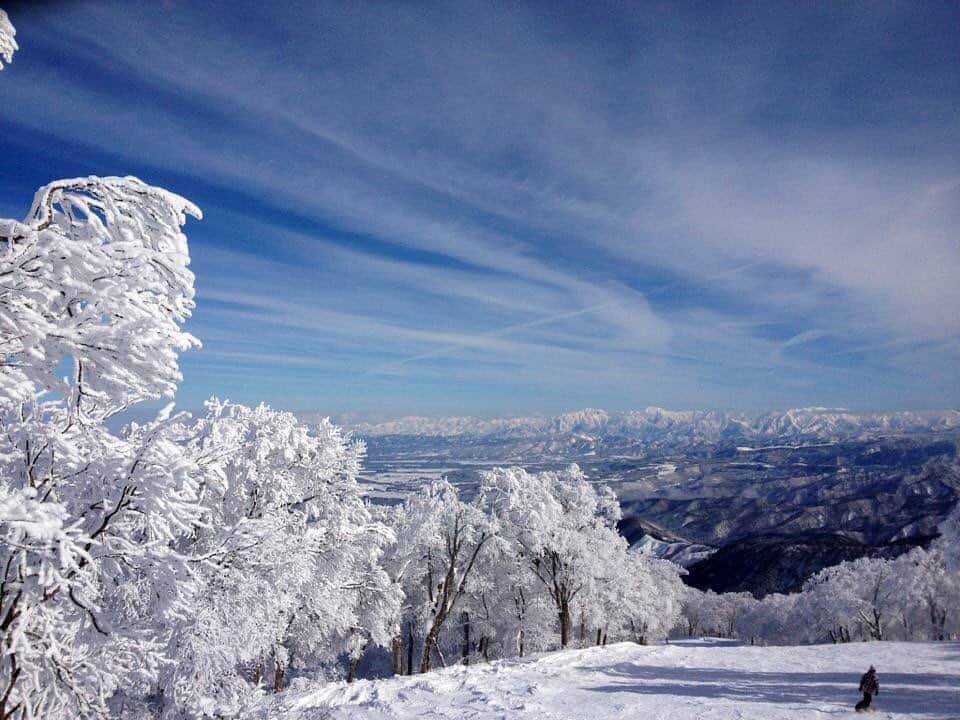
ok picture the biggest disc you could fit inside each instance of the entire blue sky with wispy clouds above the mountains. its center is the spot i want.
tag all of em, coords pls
(502, 208)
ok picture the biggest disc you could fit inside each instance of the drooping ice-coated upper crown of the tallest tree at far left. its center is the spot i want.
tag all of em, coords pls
(96, 275)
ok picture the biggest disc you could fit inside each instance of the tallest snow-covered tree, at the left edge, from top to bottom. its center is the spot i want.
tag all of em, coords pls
(95, 277)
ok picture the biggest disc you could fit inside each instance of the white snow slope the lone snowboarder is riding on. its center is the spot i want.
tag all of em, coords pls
(700, 680)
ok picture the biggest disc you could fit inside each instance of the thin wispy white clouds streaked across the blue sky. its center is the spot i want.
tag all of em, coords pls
(590, 210)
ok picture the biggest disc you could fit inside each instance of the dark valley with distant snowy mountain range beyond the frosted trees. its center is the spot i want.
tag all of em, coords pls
(754, 504)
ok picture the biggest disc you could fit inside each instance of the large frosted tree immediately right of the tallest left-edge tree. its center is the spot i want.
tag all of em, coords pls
(288, 555)
